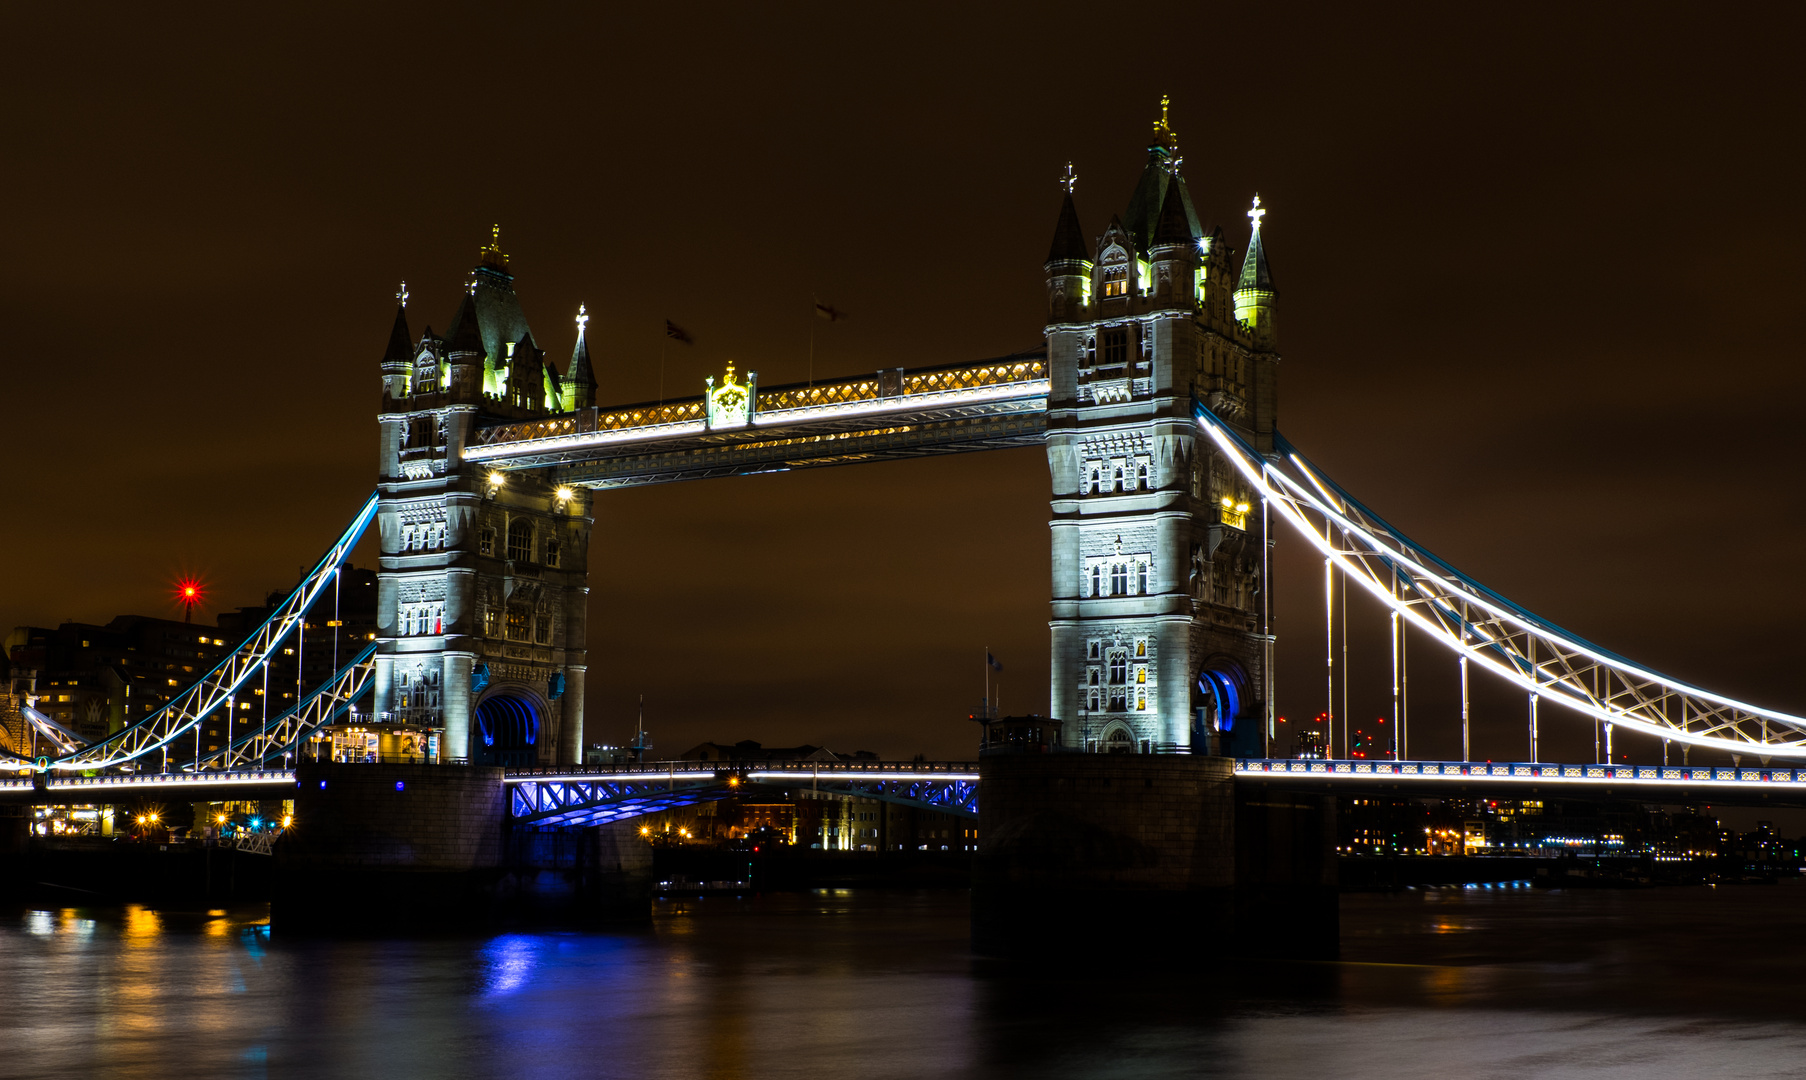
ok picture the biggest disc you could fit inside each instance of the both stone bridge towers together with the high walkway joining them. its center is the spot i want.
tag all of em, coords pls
(490, 458)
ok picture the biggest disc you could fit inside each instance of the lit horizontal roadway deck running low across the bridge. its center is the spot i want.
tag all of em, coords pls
(1744, 785)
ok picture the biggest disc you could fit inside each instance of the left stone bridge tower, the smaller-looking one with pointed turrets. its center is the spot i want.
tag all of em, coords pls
(483, 581)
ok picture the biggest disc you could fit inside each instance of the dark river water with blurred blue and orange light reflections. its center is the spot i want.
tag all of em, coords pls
(1448, 983)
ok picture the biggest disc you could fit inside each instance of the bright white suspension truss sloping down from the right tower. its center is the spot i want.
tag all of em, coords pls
(1489, 629)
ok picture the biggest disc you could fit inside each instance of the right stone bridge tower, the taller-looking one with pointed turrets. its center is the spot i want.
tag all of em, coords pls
(1160, 638)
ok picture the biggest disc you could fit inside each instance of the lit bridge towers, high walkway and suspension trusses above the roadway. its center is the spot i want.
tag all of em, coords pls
(1155, 396)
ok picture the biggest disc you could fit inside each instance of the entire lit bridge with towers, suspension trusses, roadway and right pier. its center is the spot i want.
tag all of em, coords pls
(1155, 395)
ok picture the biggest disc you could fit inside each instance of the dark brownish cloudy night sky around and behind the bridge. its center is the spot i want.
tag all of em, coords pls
(1540, 277)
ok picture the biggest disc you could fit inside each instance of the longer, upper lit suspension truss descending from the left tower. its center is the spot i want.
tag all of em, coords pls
(223, 685)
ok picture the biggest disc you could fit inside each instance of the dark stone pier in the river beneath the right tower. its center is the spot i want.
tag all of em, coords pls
(1148, 861)
